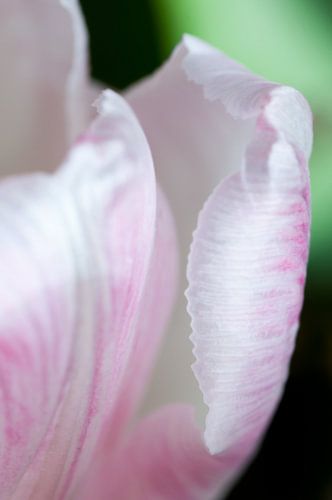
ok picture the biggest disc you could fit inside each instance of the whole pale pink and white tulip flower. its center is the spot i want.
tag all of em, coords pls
(97, 212)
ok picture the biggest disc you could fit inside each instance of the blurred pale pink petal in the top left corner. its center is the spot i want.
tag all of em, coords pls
(43, 91)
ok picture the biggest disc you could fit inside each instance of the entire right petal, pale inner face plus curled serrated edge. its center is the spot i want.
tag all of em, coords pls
(248, 257)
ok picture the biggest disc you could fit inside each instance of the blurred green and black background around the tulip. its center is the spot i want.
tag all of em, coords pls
(291, 42)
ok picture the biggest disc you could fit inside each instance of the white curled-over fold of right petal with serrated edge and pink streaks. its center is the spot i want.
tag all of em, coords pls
(246, 276)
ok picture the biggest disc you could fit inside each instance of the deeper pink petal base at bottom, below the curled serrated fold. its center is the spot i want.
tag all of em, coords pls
(165, 459)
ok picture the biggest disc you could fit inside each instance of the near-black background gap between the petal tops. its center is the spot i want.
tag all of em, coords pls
(124, 42)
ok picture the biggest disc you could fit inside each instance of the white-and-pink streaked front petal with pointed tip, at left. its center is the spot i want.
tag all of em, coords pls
(75, 254)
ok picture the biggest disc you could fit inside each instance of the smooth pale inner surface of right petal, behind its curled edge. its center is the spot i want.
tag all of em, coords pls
(195, 142)
